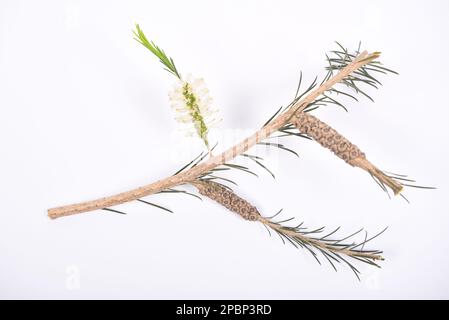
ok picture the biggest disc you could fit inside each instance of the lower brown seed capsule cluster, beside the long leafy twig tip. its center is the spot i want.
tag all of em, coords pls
(228, 199)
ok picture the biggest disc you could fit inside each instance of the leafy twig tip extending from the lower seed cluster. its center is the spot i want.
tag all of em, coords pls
(316, 243)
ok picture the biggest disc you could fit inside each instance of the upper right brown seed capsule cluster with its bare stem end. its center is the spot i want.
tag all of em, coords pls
(341, 147)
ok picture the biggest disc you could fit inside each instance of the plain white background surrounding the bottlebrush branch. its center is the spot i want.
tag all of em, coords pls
(84, 113)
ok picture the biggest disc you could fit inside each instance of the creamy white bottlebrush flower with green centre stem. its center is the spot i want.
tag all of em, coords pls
(192, 104)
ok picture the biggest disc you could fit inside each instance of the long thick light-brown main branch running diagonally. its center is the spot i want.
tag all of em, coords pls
(191, 175)
